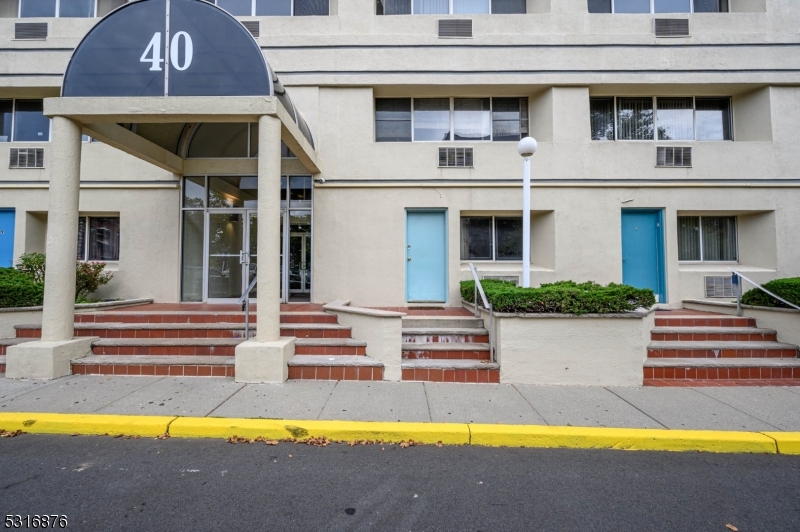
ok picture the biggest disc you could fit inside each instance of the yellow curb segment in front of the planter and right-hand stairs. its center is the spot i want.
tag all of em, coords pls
(628, 439)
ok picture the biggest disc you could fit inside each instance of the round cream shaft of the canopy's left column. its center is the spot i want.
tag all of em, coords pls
(62, 231)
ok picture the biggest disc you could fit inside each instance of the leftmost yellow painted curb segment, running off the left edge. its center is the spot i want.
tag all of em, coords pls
(38, 423)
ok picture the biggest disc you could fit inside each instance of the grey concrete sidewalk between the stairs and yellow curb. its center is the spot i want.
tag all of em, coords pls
(724, 408)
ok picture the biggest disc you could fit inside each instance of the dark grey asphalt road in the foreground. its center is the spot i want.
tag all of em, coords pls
(103, 483)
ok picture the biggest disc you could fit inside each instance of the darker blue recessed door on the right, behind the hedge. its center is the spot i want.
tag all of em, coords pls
(643, 250)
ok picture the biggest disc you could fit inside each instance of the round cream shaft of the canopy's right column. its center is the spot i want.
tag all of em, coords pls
(269, 241)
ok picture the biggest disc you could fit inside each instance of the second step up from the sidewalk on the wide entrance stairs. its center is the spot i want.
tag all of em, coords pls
(217, 346)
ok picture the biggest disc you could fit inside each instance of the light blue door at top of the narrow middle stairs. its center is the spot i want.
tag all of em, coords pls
(426, 256)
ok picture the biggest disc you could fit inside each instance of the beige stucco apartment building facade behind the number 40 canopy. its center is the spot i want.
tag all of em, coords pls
(347, 233)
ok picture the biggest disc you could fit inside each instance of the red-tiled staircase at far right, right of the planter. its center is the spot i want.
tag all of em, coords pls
(702, 349)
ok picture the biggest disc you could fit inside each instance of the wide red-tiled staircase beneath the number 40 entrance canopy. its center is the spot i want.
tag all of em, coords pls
(202, 344)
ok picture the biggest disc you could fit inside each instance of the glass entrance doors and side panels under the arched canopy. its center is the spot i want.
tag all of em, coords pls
(220, 232)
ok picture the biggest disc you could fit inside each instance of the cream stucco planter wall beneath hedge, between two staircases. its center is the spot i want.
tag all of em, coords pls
(565, 349)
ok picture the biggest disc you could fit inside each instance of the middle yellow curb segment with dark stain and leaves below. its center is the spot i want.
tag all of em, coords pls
(277, 429)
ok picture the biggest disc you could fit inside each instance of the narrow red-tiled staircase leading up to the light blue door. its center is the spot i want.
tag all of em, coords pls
(447, 349)
